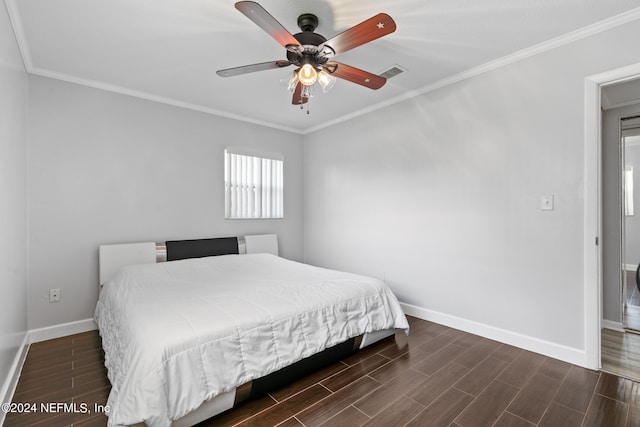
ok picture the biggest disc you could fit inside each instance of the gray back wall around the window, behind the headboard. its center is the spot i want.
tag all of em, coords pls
(109, 168)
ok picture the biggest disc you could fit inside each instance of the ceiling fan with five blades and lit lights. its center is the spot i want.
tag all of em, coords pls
(312, 53)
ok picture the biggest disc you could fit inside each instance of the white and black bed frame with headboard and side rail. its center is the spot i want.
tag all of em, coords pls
(115, 256)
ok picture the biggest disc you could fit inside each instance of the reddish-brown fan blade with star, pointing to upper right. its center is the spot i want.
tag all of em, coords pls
(369, 30)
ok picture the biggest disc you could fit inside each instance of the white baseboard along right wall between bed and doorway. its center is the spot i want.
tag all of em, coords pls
(557, 351)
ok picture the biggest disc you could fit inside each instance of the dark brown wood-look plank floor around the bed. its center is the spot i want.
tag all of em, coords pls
(437, 376)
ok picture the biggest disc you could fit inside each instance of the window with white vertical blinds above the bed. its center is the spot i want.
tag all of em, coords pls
(253, 184)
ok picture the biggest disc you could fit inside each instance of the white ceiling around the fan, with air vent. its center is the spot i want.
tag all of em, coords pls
(169, 50)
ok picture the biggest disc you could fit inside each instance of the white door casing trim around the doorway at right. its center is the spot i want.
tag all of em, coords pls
(592, 195)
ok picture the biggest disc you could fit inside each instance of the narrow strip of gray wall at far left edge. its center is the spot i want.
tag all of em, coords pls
(13, 200)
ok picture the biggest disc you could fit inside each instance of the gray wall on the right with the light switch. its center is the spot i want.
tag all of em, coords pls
(440, 195)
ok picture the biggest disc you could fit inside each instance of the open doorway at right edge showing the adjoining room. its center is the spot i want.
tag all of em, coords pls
(620, 340)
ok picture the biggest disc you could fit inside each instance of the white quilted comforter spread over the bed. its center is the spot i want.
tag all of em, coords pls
(176, 334)
